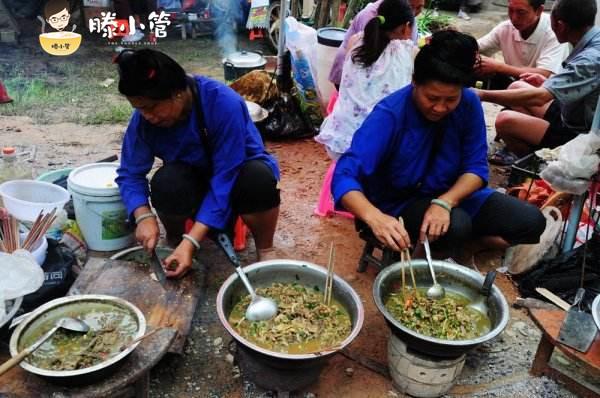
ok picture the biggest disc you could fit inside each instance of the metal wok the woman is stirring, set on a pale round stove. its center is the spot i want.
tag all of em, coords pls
(455, 278)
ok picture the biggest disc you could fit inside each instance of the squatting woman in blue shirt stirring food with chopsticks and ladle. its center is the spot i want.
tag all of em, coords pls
(421, 155)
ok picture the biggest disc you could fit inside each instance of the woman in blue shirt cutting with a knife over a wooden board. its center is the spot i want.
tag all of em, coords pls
(214, 164)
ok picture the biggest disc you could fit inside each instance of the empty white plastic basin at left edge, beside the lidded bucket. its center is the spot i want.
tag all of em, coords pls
(24, 199)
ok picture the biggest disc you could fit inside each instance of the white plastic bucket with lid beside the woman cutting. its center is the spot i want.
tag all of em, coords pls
(99, 210)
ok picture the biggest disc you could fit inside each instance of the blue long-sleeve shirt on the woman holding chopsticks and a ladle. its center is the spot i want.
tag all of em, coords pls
(389, 158)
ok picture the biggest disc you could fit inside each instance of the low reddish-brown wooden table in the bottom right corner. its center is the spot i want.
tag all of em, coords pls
(550, 321)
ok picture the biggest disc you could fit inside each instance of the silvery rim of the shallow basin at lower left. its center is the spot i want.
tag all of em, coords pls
(17, 334)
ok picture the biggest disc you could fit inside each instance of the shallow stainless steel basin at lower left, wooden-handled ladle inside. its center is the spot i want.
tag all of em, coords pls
(55, 309)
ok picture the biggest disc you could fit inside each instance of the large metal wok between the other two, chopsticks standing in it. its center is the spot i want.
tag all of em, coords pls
(263, 274)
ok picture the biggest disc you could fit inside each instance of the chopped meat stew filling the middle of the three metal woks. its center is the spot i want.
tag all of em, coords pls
(303, 323)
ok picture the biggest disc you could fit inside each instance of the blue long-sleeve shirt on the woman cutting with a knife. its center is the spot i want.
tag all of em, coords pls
(232, 139)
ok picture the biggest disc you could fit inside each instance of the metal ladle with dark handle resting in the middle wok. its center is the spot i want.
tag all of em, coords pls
(260, 308)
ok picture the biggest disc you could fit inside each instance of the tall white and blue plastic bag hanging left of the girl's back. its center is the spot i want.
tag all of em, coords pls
(301, 40)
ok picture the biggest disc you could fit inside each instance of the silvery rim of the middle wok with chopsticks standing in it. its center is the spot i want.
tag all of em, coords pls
(260, 265)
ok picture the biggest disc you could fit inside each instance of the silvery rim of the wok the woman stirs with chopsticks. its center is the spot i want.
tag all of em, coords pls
(440, 266)
